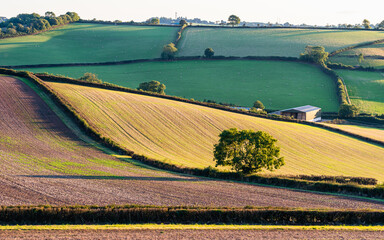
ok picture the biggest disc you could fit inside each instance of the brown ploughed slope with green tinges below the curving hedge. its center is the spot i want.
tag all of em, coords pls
(42, 162)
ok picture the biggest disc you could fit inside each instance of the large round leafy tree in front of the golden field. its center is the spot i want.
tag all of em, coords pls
(247, 151)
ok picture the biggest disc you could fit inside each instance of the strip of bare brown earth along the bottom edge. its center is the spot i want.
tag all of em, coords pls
(190, 234)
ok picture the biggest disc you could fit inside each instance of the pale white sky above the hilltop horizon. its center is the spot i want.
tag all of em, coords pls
(319, 12)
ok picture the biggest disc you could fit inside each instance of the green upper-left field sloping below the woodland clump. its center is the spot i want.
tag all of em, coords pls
(86, 43)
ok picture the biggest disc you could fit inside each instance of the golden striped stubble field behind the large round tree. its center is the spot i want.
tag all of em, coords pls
(184, 134)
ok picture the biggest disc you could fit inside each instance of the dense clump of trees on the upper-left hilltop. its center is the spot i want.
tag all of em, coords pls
(25, 24)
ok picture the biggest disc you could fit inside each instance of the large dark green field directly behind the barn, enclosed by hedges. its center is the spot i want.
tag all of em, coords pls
(279, 85)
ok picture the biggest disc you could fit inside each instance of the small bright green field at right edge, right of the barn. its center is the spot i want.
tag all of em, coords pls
(366, 89)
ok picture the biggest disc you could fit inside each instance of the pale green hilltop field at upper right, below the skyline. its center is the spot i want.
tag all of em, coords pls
(268, 42)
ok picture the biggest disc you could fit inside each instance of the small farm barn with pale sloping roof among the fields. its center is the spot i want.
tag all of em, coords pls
(306, 113)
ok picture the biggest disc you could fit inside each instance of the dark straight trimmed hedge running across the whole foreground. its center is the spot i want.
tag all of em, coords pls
(27, 215)
